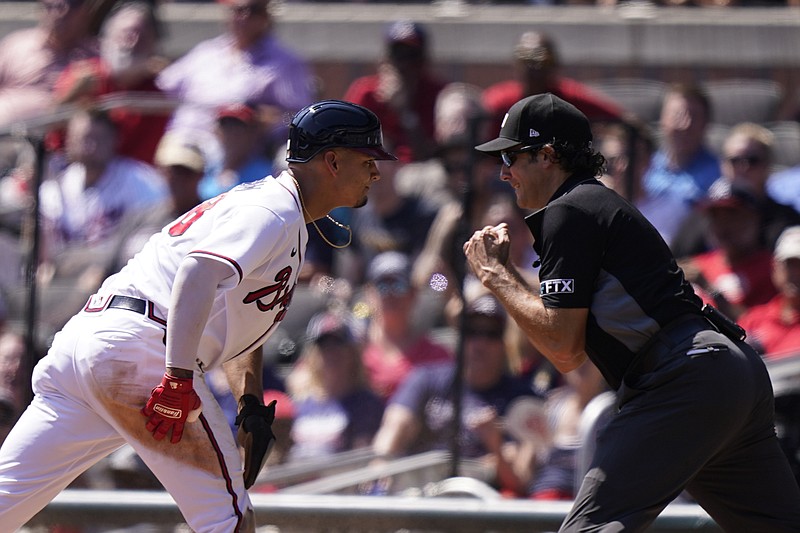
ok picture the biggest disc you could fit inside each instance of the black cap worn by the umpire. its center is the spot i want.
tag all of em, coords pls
(538, 120)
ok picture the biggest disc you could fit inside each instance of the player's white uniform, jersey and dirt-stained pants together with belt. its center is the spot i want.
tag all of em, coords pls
(99, 372)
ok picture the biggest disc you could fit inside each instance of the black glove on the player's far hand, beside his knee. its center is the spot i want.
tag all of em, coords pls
(255, 435)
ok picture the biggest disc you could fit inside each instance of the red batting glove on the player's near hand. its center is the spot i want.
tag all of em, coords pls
(172, 403)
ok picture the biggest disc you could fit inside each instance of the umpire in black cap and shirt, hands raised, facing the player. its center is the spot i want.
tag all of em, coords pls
(695, 403)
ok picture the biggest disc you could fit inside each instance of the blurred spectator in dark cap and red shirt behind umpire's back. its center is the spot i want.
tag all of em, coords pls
(736, 274)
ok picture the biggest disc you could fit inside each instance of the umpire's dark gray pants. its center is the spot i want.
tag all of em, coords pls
(697, 414)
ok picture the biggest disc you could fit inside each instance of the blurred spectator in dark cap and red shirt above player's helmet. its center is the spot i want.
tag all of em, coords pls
(403, 92)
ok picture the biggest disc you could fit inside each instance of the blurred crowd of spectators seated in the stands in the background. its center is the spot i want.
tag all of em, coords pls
(381, 331)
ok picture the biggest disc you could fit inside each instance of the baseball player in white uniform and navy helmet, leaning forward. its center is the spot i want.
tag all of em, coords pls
(207, 290)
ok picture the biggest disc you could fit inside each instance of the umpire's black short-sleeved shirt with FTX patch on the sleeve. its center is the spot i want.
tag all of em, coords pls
(599, 252)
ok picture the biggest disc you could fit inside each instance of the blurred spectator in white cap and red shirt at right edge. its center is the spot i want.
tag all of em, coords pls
(773, 328)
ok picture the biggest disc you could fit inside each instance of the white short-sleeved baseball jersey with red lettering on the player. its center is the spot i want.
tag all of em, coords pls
(259, 231)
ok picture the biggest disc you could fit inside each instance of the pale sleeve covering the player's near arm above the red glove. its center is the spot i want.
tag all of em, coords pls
(193, 295)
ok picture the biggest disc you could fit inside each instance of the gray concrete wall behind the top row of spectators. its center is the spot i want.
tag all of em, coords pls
(473, 43)
